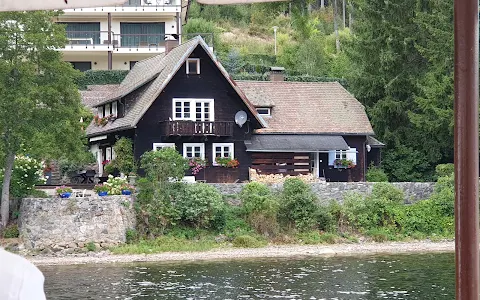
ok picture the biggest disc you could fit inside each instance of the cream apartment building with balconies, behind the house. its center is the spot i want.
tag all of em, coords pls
(115, 38)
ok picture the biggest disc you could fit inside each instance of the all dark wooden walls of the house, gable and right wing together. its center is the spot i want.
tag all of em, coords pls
(158, 126)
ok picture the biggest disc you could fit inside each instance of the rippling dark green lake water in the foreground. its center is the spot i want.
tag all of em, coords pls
(426, 276)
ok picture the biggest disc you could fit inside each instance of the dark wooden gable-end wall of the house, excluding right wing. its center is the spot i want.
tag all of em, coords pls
(209, 84)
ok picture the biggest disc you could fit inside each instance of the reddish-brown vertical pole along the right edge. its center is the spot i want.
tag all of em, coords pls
(466, 150)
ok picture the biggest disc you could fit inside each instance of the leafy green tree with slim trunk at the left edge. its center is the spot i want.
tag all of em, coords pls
(39, 101)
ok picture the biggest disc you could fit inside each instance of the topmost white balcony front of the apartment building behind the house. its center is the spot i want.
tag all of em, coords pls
(131, 7)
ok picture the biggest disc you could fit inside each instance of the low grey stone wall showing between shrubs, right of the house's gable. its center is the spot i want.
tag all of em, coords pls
(327, 191)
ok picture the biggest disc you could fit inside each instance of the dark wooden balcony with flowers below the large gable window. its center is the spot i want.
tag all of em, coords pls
(194, 128)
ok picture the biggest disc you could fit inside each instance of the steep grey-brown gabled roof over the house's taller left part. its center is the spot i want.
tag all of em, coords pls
(166, 66)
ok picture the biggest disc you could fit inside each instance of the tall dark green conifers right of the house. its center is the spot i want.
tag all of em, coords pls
(402, 56)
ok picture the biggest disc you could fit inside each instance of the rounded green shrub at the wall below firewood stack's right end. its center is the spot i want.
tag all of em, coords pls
(298, 204)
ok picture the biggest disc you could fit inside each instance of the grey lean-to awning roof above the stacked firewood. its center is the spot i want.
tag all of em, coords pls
(295, 143)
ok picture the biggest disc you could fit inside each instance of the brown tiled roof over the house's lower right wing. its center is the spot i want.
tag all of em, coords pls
(308, 108)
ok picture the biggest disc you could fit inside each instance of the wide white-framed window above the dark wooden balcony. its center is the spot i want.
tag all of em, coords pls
(193, 109)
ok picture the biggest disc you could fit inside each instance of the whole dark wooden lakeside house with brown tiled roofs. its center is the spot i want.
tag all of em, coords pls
(184, 98)
